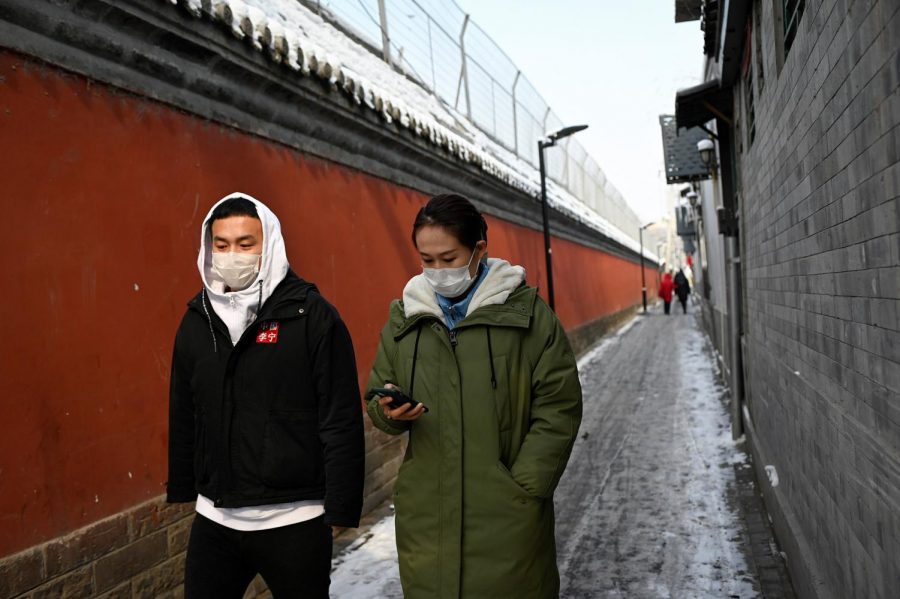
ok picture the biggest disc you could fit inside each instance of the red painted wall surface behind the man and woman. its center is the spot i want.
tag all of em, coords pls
(103, 197)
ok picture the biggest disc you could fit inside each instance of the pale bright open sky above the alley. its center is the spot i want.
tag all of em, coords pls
(613, 64)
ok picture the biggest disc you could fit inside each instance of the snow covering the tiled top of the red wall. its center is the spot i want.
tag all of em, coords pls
(290, 34)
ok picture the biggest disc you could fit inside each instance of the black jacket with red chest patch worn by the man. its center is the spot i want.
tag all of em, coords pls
(274, 419)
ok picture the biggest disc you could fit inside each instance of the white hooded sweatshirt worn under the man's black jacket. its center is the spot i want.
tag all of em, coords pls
(238, 310)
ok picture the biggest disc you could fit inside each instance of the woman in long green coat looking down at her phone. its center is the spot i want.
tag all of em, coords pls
(499, 409)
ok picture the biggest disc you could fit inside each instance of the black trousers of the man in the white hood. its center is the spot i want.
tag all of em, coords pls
(294, 560)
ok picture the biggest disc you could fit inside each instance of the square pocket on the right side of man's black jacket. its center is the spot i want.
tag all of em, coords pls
(292, 453)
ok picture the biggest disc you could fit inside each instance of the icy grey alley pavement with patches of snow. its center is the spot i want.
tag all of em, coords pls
(657, 500)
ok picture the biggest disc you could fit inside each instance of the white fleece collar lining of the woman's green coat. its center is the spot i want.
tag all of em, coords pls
(501, 280)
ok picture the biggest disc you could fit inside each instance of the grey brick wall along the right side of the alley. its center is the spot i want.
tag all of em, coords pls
(820, 222)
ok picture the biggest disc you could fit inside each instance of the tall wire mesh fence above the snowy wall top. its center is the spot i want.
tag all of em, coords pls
(436, 43)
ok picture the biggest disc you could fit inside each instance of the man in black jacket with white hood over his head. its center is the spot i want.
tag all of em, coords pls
(265, 420)
